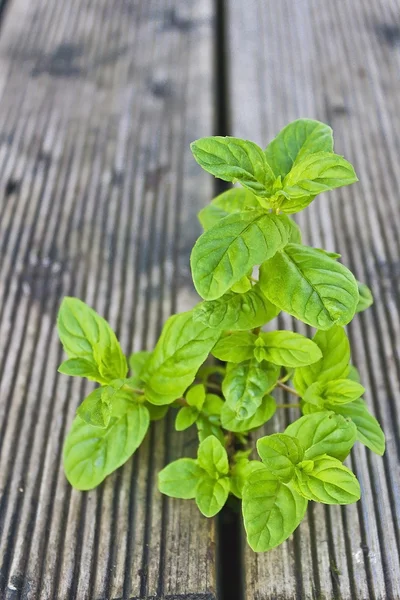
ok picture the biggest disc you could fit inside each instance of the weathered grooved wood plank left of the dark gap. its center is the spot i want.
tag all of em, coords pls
(99, 101)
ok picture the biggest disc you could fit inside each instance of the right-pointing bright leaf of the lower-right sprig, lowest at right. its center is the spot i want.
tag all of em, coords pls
(328, 482)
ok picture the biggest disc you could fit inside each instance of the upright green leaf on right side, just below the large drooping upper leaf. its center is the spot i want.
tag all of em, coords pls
(334, 363)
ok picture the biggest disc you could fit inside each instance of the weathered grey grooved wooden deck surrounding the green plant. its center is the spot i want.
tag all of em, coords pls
(99, 100)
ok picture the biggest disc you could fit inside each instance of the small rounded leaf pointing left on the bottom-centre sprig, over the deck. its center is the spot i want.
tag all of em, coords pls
(180, 478)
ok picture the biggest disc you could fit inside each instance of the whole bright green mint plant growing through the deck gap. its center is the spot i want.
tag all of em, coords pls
(248, 266)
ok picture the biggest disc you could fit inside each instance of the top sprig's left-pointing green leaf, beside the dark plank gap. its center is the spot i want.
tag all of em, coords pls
(235, 160)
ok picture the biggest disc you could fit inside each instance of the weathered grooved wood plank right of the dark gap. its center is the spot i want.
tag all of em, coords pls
(338, 63)
